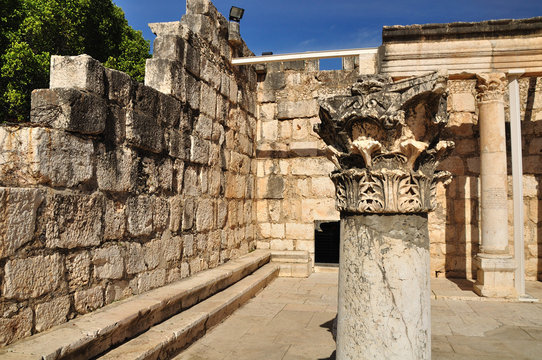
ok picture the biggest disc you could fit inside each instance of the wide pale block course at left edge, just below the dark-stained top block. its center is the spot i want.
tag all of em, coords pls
(30, 156)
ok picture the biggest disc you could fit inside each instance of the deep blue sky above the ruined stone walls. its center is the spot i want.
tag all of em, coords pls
(289, 26)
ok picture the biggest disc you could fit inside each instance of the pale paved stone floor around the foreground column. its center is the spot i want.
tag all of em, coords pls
(292, 319)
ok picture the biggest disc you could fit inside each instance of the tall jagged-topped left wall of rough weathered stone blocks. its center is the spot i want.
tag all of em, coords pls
(116, 187)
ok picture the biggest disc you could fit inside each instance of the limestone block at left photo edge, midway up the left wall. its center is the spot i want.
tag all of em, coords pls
(18, 209)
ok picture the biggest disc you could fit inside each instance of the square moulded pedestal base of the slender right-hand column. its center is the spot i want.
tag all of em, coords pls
(495, 276)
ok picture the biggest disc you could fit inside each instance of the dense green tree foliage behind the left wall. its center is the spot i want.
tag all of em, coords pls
(33, 30)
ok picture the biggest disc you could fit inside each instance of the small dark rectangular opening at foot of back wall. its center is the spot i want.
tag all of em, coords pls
(326, 242)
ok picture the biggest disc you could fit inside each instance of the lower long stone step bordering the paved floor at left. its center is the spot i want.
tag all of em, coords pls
(165, 340)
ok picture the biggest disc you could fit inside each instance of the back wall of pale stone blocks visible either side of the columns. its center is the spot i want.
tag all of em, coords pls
(294, 189)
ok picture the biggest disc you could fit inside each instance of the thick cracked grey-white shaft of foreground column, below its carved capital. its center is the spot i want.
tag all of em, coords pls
(384, 290)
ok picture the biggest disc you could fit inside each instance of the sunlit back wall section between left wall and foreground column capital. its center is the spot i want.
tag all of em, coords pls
(293, 187)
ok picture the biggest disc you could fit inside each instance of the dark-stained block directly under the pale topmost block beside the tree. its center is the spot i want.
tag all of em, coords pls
(69, 109)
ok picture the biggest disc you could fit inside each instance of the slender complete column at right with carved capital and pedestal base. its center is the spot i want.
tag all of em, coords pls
(495, 276)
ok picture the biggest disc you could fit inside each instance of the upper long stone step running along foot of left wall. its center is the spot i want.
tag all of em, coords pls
(87, 336)
